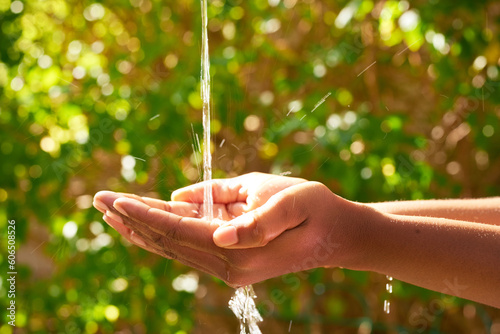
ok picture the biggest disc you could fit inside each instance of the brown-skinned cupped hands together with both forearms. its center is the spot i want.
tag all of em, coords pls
(272, 225)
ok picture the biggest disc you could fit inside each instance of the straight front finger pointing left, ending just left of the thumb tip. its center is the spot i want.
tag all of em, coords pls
(186, 231)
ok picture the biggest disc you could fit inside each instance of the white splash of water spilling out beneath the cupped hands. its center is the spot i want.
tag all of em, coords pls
(243, 306)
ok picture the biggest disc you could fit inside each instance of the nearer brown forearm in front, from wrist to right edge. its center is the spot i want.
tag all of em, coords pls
(454, 257)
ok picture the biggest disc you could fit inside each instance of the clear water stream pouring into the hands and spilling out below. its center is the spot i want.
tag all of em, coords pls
(242, 303)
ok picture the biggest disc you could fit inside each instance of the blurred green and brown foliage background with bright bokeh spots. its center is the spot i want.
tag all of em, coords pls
(413, 113)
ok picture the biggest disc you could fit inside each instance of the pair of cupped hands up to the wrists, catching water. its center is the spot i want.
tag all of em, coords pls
(266, 226)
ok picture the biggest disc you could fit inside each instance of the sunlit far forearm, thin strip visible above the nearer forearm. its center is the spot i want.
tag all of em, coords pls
(483, 210)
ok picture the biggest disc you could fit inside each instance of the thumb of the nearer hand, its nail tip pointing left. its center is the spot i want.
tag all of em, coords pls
(258, 227)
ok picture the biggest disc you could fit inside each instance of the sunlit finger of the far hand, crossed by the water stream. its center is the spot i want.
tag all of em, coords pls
(223, 191)
